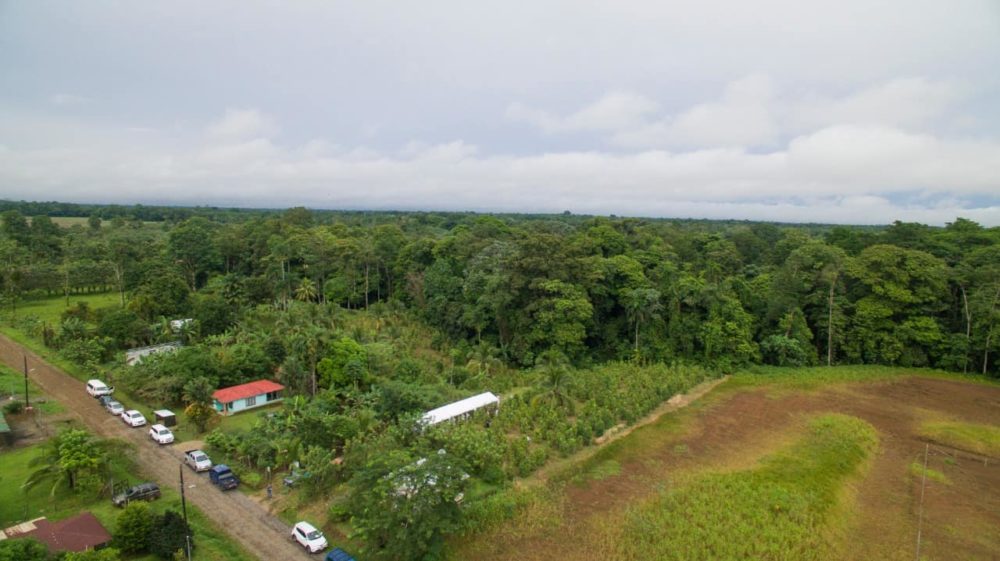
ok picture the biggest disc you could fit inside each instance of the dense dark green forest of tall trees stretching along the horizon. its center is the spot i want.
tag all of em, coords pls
(593, 289)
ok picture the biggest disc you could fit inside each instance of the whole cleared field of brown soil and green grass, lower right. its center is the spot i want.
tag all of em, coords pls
(767, 467)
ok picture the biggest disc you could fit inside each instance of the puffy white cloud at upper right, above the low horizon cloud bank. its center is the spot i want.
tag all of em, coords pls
(752, 112)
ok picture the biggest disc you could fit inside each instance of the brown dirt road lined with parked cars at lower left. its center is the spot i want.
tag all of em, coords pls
(260, 533)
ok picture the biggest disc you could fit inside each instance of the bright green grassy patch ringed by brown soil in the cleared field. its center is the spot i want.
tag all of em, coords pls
(779, 510)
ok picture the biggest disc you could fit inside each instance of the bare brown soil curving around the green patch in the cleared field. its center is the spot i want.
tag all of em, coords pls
(736, 428)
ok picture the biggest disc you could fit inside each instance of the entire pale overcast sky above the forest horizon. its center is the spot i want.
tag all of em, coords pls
(848, 111)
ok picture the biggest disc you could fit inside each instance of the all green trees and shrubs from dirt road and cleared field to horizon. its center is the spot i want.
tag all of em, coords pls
(582, 325)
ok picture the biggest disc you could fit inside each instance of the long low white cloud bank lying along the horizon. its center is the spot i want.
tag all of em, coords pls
(847, 174)
